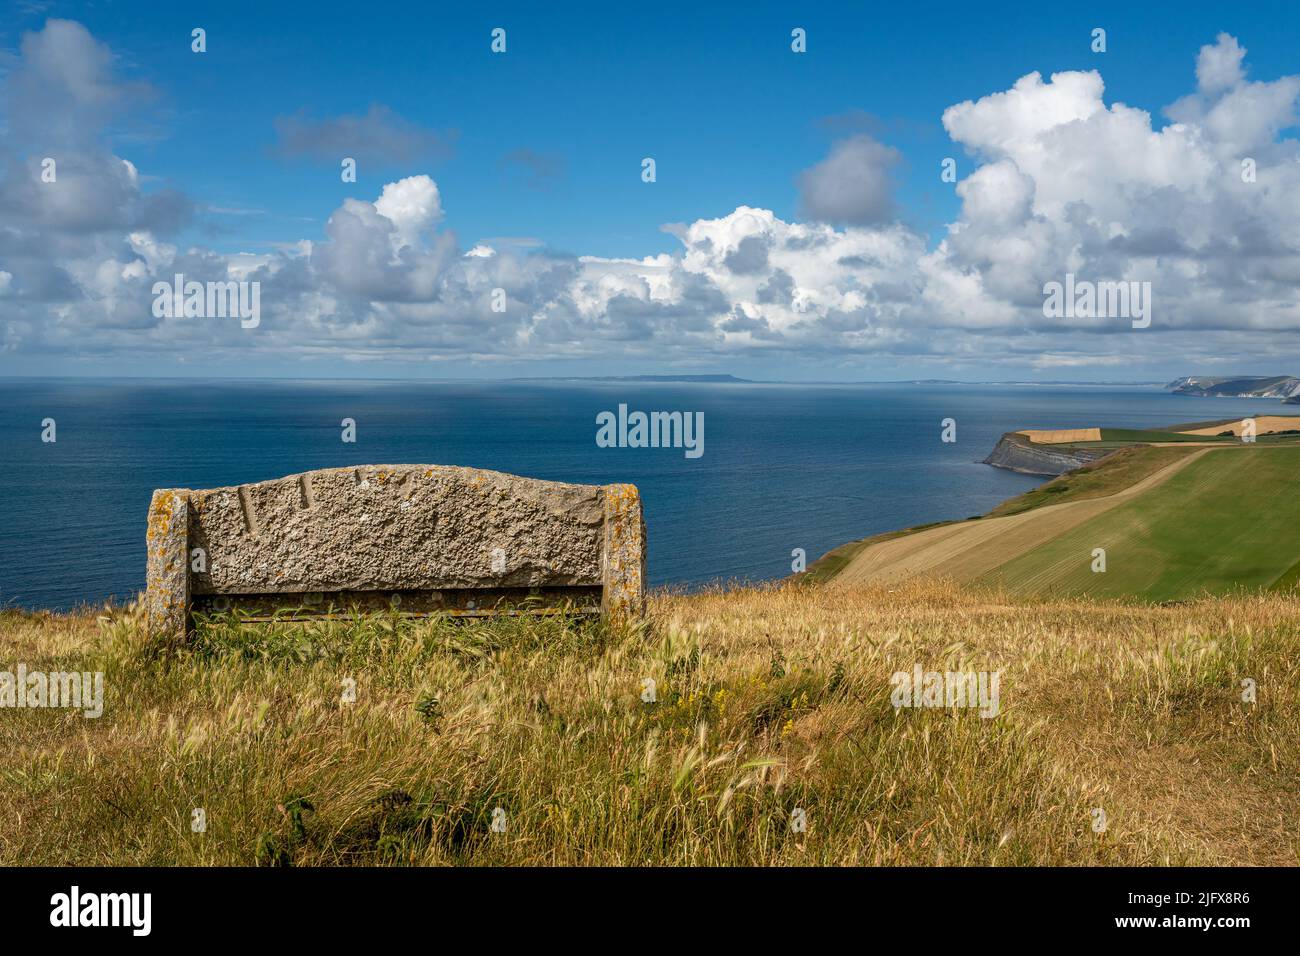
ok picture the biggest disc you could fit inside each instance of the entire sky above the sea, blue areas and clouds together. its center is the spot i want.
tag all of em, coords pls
(799, 226)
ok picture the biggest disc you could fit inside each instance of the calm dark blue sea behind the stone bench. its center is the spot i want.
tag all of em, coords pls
(785, 466)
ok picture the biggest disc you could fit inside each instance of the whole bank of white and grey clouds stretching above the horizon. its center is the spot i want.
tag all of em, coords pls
(1063, 183)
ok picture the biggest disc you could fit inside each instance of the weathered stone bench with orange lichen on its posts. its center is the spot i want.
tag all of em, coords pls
(413, 539)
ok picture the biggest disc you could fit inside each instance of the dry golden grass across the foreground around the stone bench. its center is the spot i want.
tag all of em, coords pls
(769, 702)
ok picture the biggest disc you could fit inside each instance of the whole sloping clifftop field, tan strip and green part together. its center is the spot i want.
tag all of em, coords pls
(1175, 524)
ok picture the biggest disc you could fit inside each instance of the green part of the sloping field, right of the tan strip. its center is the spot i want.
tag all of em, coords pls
(1220, 525)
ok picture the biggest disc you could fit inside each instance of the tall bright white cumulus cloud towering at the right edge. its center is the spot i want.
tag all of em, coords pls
(1069, 184)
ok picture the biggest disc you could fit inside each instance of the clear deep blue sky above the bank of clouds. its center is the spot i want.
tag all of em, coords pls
(716, 96)
